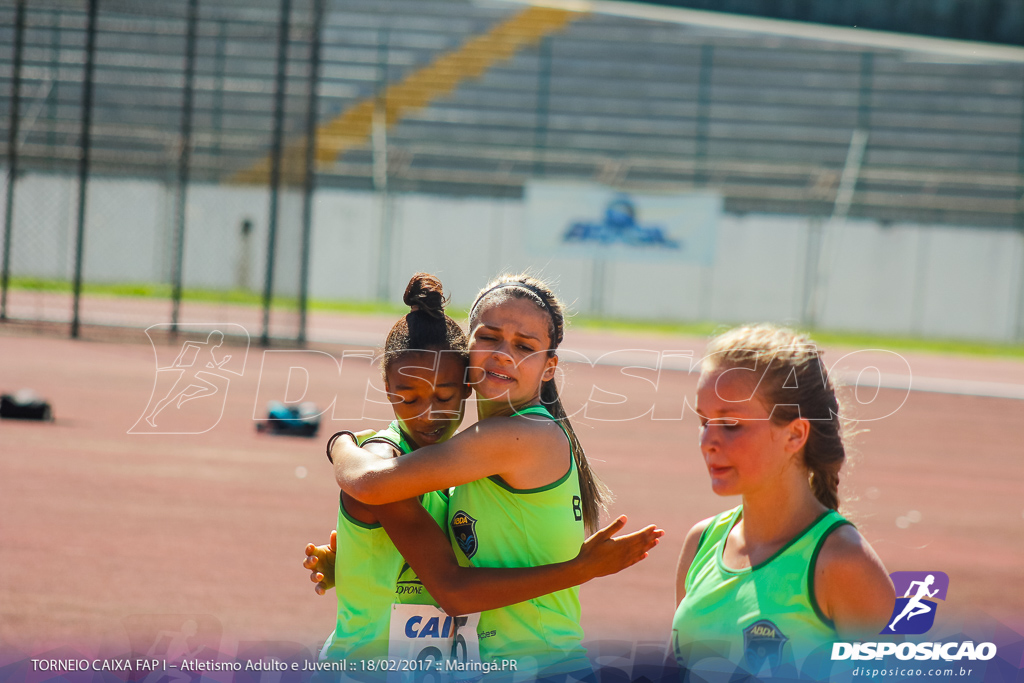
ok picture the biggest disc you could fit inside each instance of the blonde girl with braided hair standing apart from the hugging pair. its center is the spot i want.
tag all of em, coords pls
(766, 584)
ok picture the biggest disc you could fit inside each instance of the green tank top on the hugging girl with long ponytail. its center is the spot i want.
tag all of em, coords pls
(493, 525)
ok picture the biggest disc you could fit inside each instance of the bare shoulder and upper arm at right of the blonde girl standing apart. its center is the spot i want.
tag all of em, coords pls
(851, 584)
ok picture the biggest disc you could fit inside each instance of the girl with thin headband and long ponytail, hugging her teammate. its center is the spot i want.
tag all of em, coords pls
(525, 492)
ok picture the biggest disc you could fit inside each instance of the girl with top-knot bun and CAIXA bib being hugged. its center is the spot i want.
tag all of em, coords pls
(424, 367)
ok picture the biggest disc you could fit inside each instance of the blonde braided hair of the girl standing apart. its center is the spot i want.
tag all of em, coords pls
(794, 383)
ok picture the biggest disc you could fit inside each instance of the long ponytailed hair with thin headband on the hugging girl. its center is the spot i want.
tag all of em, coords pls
(593, 492)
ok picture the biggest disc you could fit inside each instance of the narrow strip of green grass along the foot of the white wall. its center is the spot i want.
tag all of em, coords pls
(698, 330)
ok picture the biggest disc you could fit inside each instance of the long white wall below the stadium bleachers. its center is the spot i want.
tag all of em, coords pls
(904, 279)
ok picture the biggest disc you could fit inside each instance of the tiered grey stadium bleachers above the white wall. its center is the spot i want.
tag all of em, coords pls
(765, 119)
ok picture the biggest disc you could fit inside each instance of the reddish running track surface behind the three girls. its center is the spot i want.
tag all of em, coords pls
(105, 531)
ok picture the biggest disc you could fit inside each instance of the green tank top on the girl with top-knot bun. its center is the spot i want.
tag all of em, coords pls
(371, 575)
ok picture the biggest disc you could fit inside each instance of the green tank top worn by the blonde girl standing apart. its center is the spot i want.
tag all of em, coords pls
(763, 620)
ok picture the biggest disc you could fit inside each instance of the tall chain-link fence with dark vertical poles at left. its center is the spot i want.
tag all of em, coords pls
(125, 121)
